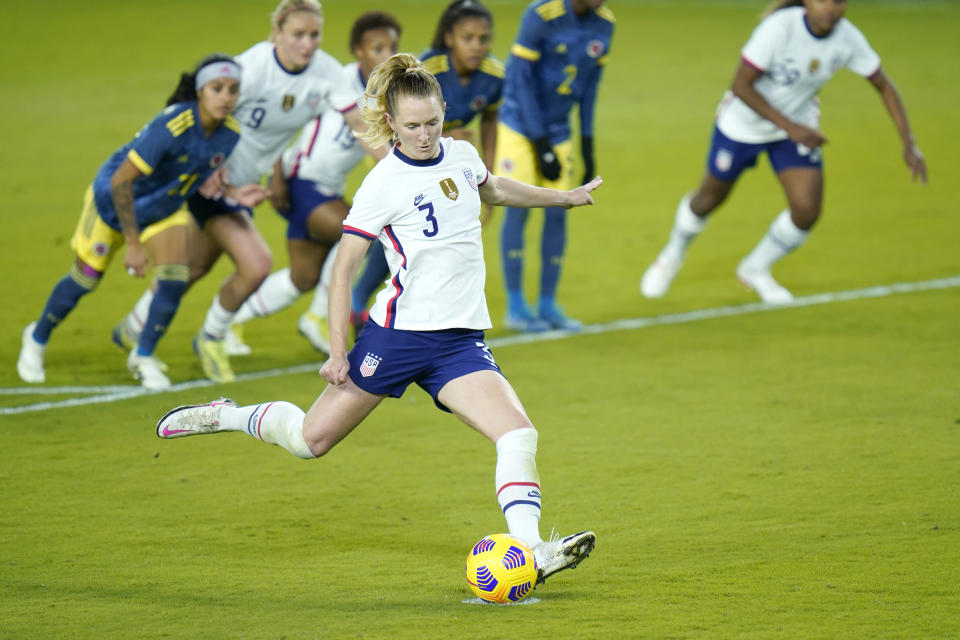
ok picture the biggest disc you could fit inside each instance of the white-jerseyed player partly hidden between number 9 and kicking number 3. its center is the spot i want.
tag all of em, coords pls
(313, 180)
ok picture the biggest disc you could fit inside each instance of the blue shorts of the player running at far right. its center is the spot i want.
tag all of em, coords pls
(728, 158)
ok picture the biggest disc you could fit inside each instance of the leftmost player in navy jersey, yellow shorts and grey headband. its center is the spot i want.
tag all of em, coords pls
(134, 201)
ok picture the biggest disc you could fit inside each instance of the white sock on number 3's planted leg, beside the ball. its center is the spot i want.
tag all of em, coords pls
(518, 484)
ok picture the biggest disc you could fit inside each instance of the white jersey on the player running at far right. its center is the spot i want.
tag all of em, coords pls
(795, 64)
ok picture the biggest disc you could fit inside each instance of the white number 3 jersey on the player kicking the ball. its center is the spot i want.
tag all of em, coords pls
(427, 216)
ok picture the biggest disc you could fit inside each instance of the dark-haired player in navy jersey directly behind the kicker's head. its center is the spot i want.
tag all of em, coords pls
(472, 82)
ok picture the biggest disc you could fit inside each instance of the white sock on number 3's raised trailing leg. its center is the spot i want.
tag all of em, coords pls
(279, 423)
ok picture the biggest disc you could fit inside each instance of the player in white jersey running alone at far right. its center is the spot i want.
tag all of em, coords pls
(772, 107)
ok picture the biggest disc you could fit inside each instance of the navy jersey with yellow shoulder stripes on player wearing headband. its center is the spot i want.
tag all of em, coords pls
(175, 156)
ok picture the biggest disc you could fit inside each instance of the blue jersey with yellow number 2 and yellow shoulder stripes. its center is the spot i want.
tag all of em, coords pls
(555, 63)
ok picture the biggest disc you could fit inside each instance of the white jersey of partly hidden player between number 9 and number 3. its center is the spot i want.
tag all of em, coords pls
(327, 150)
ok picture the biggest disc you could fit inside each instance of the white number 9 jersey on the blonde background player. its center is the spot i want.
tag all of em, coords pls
(274, 104)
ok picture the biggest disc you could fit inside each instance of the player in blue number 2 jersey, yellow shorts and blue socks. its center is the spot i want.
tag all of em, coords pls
(555, 63)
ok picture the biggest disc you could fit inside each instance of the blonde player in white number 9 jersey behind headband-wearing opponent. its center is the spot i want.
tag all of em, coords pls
(286, 82)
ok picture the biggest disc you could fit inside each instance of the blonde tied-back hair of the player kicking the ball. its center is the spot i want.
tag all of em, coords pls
(399, 75)
